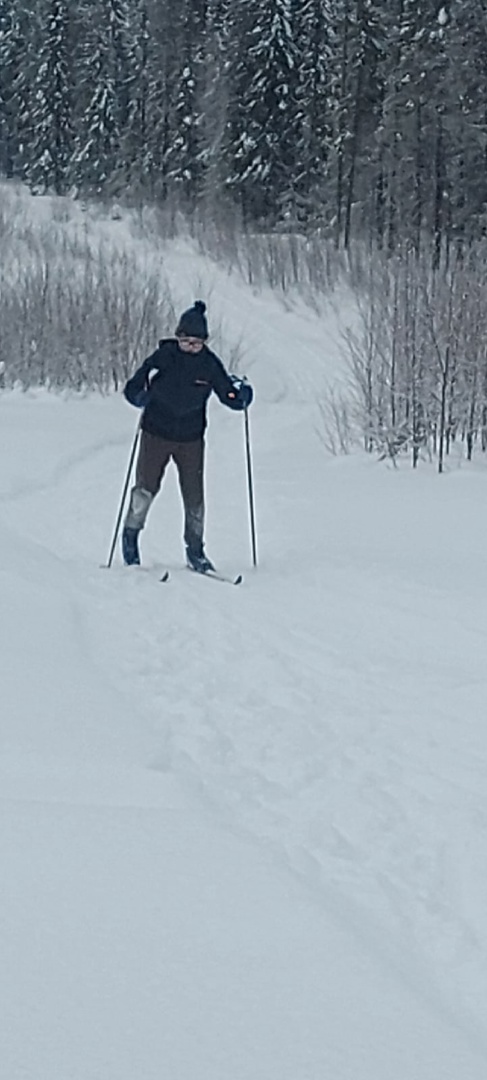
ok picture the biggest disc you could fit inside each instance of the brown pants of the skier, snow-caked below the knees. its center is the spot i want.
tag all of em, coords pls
(154, 457)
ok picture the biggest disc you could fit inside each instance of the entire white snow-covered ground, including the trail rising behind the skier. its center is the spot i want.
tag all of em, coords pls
(243, 832)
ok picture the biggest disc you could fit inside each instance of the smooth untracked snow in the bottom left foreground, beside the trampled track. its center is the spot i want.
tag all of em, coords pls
(171, 947)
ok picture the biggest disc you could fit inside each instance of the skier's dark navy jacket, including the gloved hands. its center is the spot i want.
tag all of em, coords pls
(174, 387)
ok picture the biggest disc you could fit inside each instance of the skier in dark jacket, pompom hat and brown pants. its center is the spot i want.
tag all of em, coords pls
(173, 387)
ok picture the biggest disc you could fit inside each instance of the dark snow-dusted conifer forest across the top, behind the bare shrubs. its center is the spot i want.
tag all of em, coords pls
(366, 118)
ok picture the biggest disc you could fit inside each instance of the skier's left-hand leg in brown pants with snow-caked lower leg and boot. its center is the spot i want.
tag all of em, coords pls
(154, 456)
